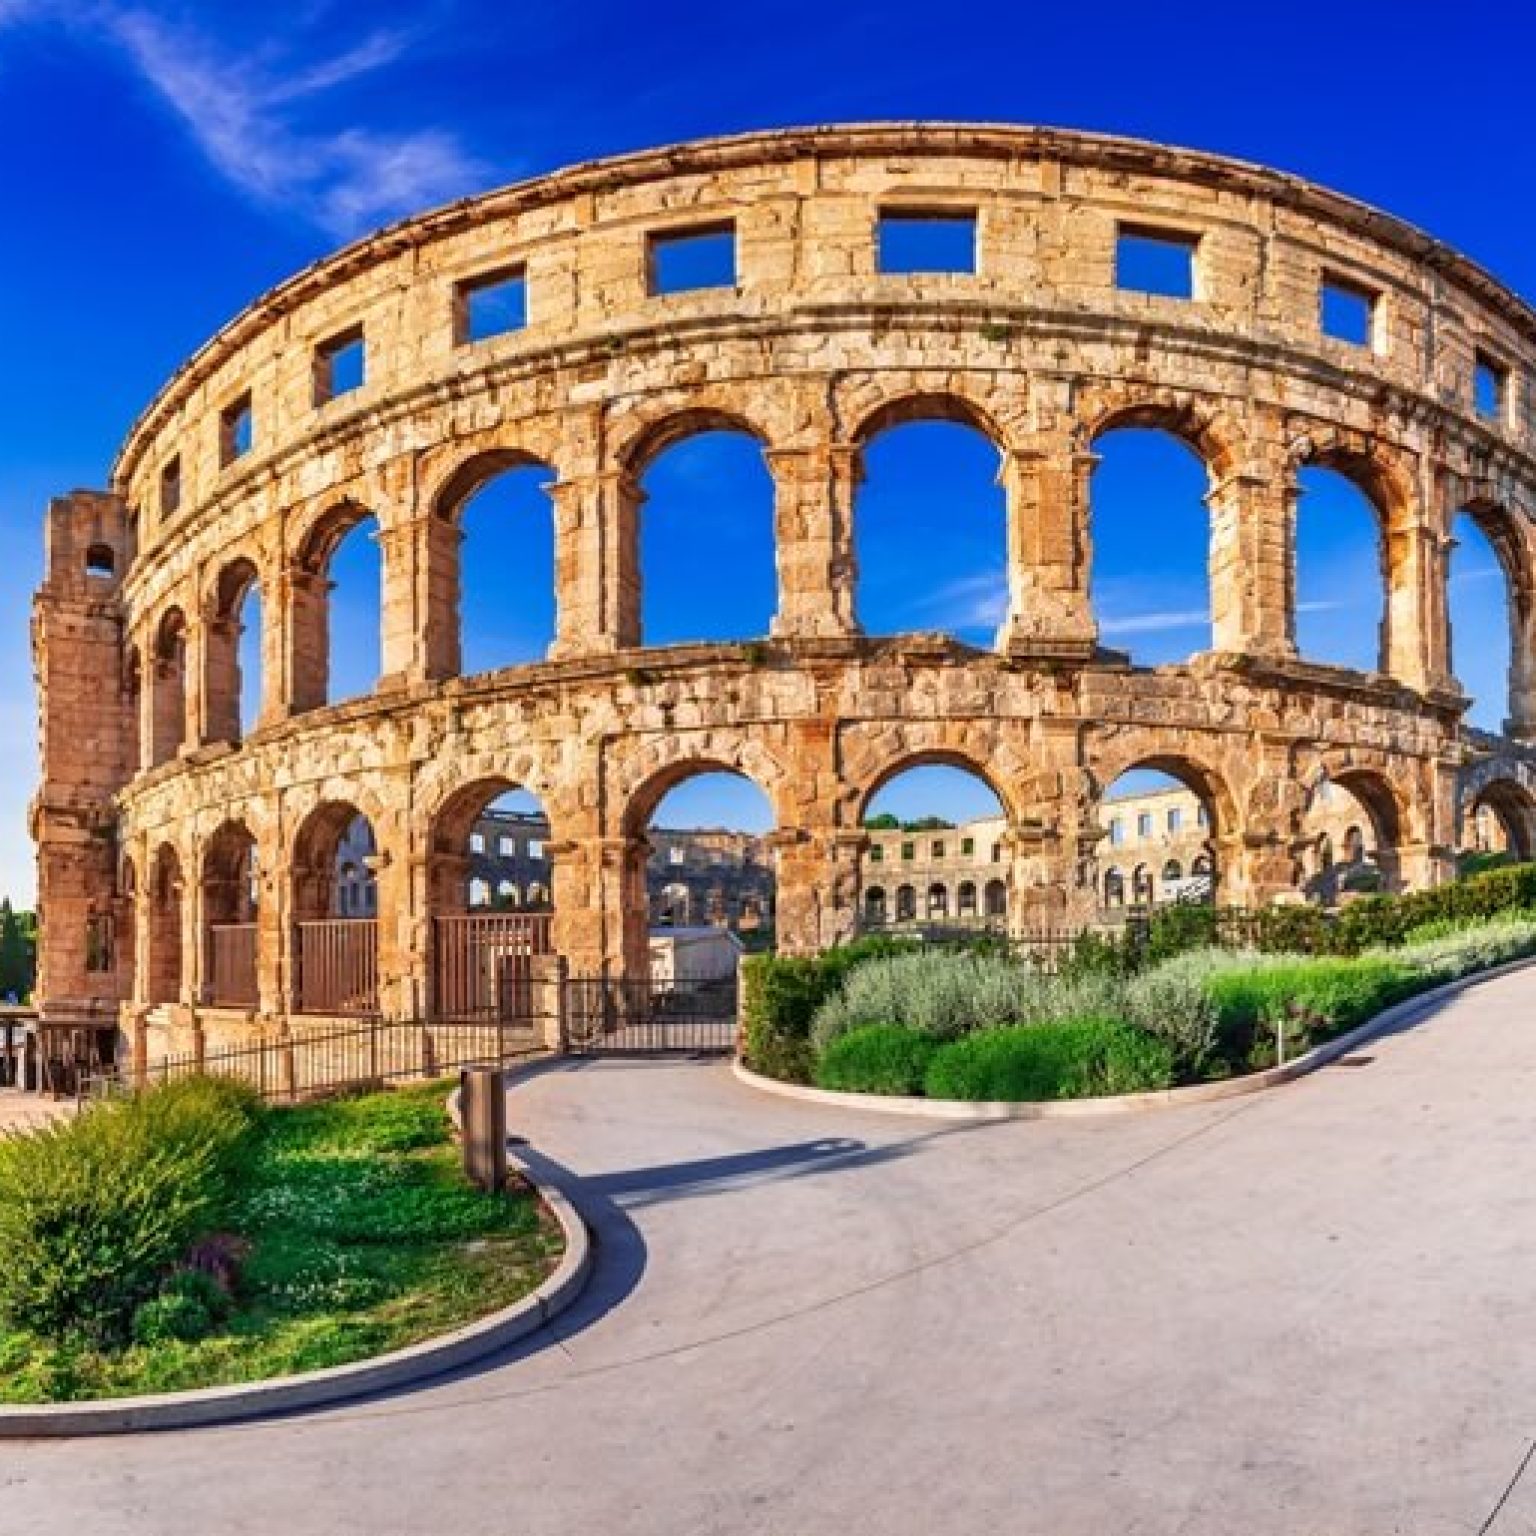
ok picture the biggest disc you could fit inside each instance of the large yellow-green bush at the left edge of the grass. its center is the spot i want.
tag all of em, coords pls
(94, 1211)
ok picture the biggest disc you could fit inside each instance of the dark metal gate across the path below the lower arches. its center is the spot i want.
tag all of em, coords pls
(650, 1016)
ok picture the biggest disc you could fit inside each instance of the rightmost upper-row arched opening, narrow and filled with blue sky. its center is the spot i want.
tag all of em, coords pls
(1486, 612)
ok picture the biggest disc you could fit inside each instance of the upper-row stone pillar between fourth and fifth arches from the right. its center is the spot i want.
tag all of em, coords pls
(813, 535)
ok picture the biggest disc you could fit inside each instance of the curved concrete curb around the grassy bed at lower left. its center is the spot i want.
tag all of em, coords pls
(406, 1368)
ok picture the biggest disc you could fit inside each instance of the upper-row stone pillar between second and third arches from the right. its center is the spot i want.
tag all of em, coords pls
(1253, 564)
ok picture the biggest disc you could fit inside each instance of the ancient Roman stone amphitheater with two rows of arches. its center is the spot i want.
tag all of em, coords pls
(188, 873)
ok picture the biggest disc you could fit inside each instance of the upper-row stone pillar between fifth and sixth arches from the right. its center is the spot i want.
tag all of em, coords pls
(597, 563)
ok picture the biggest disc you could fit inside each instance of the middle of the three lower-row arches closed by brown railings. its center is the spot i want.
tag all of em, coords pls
(336, 907)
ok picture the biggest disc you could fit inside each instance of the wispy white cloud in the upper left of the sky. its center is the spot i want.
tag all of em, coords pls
(256, 114)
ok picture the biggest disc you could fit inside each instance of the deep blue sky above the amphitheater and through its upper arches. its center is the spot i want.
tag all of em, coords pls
(165, 164)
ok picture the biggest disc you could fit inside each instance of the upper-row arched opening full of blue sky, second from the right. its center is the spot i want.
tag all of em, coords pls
(1342, 572)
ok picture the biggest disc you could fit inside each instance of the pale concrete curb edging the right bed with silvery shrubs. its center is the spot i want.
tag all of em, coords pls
(1131, 1104)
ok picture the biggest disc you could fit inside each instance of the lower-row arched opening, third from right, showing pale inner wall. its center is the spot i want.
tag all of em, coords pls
(1160, 819)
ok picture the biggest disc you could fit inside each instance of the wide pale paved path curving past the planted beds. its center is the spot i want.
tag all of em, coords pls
(1305, 1314)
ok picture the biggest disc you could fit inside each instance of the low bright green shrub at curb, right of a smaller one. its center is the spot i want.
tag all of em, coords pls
(1047, 1062)
